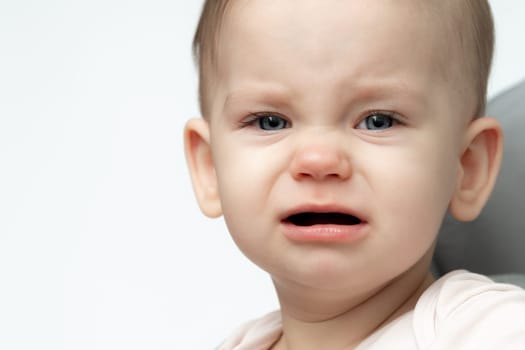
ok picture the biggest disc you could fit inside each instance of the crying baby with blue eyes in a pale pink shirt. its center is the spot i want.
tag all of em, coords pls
(335, 135)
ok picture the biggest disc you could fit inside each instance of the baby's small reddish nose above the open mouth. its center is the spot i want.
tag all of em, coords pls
(320, 161)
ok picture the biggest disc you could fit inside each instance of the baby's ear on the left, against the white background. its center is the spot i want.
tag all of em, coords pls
(202, 169)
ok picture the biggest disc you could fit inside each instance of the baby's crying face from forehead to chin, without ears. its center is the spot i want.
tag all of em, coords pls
(335, 138)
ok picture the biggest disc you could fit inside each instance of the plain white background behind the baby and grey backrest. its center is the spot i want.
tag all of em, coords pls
(101, 243)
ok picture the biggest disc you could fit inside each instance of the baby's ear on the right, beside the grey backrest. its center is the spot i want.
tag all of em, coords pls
(479, 166)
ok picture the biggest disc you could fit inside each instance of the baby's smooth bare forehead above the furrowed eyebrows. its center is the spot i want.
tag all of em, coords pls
(327, 44)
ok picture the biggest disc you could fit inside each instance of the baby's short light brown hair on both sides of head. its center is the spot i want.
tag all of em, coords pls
(468, 22)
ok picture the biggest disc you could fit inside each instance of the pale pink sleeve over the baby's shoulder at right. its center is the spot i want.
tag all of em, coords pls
(470, 311)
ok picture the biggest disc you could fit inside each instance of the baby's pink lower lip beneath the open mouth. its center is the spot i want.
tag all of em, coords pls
(323, 233)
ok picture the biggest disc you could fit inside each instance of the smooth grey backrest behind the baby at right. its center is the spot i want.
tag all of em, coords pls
(494, 244)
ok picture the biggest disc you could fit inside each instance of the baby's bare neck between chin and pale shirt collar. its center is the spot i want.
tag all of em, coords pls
(316, 321)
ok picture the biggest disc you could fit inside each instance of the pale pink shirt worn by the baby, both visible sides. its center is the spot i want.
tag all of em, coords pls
(461, 310)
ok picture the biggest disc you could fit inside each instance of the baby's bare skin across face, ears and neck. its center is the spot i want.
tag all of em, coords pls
(322, 70)
